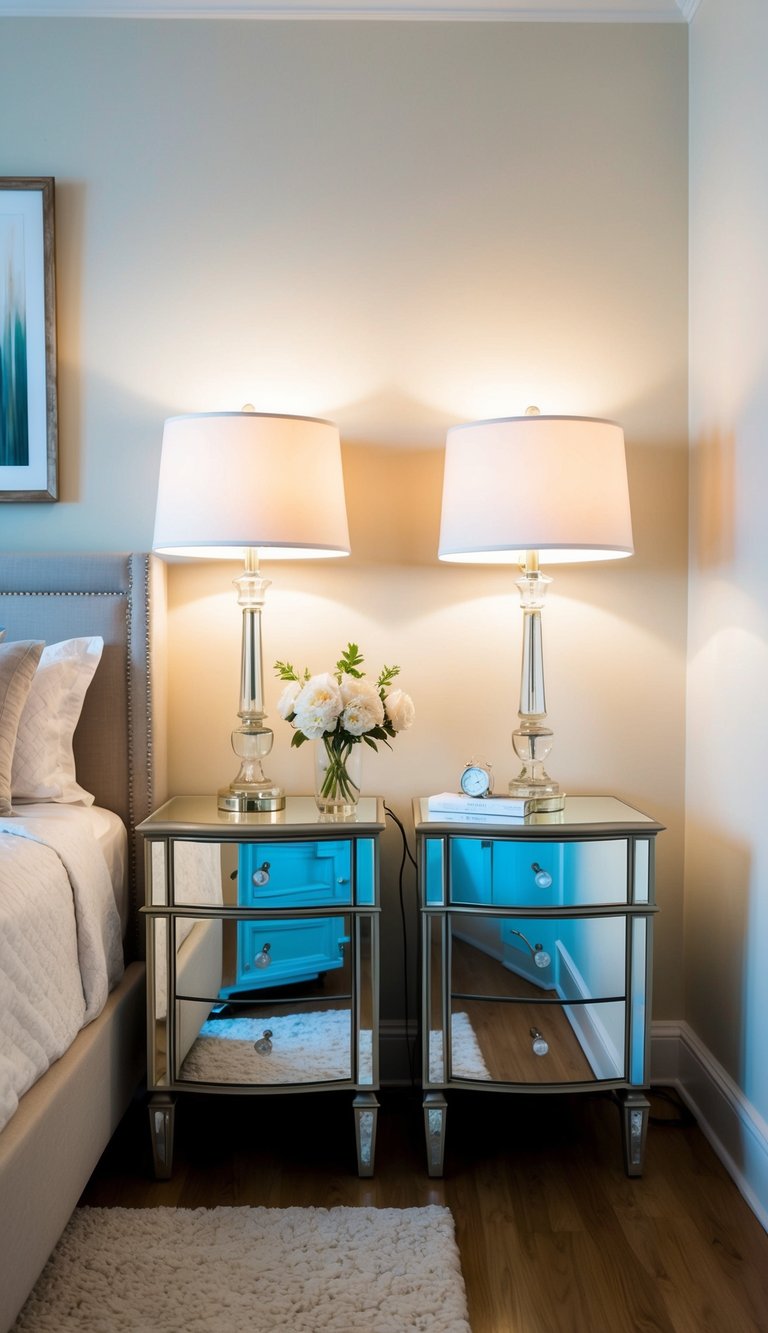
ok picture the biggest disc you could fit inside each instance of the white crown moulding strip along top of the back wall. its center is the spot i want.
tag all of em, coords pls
(541, 11)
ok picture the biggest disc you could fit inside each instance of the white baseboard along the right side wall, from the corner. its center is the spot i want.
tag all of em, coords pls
(727, 1119)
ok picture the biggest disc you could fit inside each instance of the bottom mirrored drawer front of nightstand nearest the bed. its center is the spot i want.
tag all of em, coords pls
(265, 1044)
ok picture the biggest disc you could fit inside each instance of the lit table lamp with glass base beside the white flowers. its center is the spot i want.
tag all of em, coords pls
(255, 487)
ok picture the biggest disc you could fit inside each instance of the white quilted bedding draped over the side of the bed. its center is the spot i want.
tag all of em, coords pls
(61, 940)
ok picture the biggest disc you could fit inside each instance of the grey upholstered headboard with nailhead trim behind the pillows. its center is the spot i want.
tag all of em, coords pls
(119, 743)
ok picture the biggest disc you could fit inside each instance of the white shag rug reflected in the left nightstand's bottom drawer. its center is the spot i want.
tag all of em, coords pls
(306, 1048)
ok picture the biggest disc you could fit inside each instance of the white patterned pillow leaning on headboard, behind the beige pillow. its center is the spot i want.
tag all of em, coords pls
(45, 762)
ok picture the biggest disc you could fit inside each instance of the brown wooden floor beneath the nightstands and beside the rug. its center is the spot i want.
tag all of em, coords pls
(554, 1238)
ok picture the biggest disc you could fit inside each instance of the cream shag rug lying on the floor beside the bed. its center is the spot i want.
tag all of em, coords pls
(253, 1271)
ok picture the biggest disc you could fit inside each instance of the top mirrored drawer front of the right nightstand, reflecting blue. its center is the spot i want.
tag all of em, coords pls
(506, 872)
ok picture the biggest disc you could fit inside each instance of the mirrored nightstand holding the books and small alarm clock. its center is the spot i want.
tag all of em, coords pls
(537, 940)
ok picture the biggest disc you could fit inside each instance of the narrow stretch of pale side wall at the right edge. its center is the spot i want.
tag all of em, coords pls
(727, 836)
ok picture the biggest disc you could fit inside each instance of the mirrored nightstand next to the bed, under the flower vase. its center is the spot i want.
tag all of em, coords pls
(262, 958)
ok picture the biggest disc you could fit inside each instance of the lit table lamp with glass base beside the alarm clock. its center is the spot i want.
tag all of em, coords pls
(526, 491)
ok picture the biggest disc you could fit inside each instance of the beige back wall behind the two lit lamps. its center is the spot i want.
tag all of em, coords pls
(399, 227)
